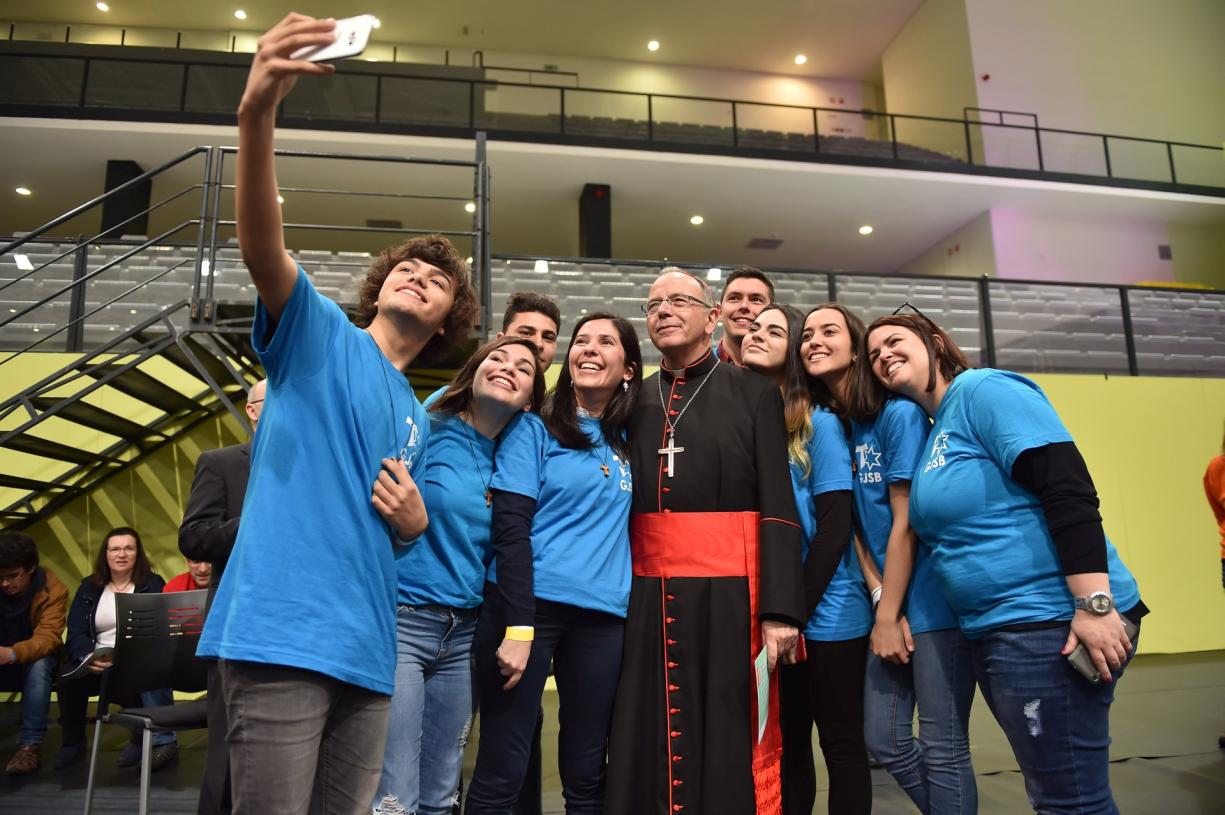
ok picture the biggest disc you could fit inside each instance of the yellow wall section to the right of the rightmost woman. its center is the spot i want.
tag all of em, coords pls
(1148, 442)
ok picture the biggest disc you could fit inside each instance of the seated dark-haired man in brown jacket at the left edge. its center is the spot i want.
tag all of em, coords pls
(34, 604)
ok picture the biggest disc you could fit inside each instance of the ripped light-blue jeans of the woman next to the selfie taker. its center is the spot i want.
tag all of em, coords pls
(431, 710)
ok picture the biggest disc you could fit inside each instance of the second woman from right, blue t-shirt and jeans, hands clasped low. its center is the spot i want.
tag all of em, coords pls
(918, 656)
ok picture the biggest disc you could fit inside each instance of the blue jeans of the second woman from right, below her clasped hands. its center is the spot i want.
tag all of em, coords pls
(935, 770)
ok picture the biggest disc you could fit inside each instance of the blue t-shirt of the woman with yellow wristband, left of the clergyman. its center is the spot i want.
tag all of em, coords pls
(581, 530)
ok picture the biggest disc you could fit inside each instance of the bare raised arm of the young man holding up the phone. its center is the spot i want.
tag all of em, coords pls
(255, 197)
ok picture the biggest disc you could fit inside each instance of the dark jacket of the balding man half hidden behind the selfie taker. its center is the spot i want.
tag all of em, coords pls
(210, 524)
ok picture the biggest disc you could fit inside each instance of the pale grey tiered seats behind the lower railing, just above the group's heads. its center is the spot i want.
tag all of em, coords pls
(1037, 327)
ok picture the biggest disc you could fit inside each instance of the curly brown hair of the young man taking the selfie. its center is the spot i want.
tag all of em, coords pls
(435, 251)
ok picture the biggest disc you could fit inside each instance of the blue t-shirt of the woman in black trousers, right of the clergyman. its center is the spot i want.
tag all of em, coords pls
(845, 612)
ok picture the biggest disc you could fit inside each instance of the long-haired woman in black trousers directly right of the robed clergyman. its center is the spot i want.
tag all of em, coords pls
(827, 689)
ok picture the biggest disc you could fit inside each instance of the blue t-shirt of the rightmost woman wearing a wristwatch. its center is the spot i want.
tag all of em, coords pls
(990, 545)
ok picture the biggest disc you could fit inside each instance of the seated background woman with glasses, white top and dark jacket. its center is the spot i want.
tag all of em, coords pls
(122, 567)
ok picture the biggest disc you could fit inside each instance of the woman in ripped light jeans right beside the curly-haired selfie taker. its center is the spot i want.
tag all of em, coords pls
(442, 579)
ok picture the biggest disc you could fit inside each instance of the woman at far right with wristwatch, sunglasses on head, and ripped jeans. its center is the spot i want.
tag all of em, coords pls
(1008, 508)
